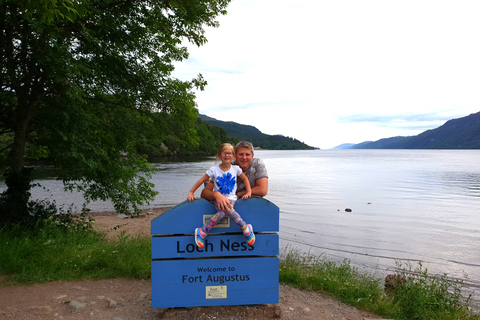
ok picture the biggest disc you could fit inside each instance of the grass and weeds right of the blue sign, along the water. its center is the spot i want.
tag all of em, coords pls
(413, 294)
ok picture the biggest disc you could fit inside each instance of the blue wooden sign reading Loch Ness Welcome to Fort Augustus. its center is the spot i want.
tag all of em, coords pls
(227, 271)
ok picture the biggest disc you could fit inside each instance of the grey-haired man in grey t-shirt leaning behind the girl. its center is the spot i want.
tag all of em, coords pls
(255, 171)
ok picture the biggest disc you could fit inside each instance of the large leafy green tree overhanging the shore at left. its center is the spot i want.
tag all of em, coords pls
(72, 74)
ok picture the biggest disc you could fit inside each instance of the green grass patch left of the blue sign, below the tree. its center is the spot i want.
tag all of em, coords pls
(70, 252)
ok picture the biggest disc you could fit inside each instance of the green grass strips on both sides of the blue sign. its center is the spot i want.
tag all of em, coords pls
(56, 250)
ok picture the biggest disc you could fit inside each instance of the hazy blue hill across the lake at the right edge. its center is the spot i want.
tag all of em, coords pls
(461, 133)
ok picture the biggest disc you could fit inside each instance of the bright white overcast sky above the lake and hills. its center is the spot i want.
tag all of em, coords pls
(328, 72)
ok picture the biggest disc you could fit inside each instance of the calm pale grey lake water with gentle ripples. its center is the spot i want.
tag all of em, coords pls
(406, 205)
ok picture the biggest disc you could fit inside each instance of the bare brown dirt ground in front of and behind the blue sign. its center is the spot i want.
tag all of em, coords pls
(124, 299)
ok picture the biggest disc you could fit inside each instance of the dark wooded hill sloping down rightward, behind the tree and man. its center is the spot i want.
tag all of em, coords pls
(255, 136)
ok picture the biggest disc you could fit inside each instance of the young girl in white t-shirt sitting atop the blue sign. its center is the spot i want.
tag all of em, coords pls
(224, 177)
